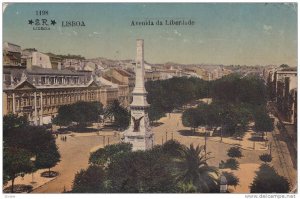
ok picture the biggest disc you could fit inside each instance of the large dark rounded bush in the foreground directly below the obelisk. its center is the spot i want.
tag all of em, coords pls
(141, 172)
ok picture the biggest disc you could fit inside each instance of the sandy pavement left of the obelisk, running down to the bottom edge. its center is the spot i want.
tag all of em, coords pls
(74, 156)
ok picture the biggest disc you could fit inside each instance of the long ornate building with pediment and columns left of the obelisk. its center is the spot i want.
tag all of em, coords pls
(38, 93)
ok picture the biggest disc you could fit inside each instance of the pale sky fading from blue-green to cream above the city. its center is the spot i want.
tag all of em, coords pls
(223, 33)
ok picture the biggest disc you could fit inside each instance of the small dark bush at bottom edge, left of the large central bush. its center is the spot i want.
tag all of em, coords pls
(91, 180)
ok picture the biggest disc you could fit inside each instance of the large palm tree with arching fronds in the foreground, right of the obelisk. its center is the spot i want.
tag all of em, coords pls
(194, 170)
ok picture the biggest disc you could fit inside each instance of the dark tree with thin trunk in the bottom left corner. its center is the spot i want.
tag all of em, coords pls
(16, 162)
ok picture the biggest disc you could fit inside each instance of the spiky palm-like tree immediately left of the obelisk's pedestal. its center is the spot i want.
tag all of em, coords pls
(120, 114)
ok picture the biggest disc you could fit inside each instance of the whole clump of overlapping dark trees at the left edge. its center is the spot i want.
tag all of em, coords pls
(21, 142)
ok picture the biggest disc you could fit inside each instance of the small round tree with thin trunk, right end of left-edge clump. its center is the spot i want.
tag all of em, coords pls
(48, 157)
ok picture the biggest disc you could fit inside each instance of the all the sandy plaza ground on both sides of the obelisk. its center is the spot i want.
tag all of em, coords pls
(76, 150)
